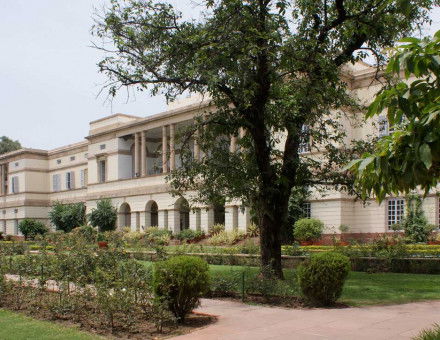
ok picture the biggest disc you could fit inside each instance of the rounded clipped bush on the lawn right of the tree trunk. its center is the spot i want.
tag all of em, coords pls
(322, 277)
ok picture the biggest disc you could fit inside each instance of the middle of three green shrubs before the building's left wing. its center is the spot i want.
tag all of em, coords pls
(66, 217)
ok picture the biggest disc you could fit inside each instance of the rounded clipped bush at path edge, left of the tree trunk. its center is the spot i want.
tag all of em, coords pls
(180, 282)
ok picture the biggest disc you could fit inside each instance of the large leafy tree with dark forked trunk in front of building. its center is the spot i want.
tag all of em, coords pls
(268, 68)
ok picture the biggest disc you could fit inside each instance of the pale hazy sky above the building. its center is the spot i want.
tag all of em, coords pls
(49, 81)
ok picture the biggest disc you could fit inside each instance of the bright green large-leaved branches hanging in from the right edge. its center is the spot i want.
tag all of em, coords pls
(410, 156)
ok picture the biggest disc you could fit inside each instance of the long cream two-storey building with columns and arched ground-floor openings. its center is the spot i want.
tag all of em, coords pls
(125, 158)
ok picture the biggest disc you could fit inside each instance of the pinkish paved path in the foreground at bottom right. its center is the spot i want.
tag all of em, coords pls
(237, 321)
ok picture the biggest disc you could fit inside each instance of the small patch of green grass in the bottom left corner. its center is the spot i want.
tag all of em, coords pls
(14, 326)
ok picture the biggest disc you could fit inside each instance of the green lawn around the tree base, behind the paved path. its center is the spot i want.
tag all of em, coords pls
(361, 289)
